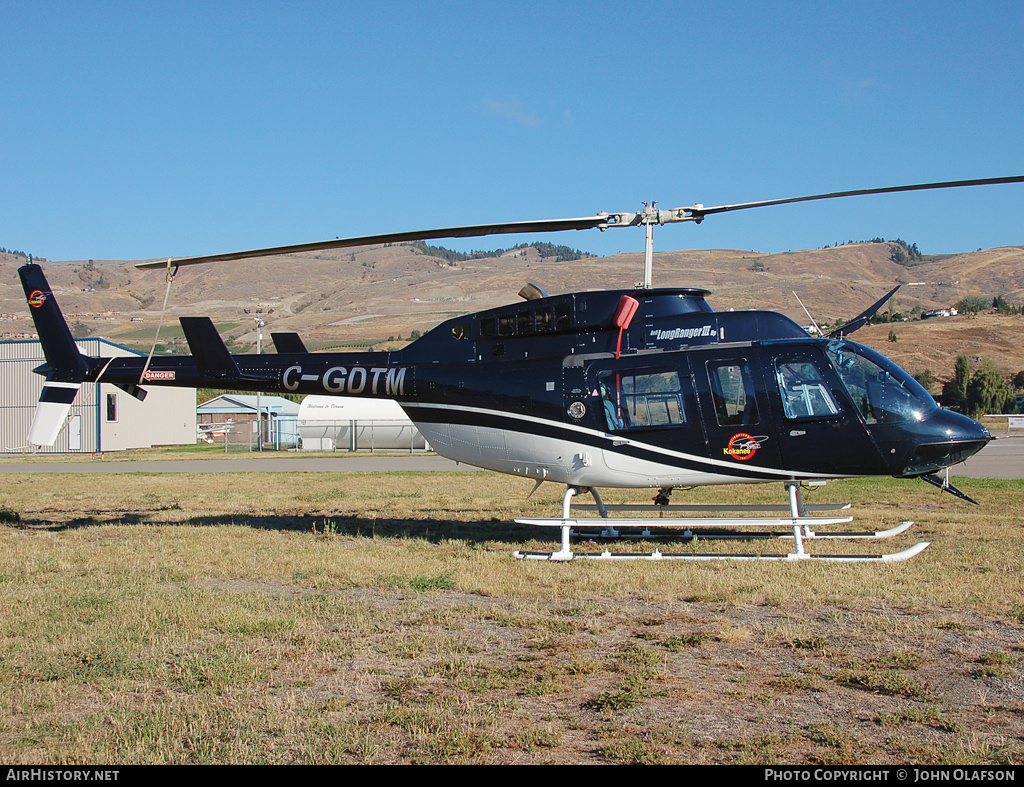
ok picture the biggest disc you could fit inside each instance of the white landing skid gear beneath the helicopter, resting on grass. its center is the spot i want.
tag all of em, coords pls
(803, 530)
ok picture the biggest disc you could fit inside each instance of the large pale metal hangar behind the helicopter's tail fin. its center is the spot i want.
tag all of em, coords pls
(103, 419)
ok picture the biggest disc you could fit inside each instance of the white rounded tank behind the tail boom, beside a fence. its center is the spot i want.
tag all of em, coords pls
(351, 423)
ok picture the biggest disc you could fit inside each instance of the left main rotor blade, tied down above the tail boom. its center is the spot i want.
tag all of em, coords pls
(547, 226)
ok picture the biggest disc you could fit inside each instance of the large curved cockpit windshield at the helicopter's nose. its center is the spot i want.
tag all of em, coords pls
(882, 391)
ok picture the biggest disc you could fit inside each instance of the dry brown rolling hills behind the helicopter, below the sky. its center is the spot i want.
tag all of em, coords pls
(378, 296)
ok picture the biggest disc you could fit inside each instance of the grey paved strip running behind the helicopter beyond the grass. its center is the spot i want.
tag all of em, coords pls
(1002, 459)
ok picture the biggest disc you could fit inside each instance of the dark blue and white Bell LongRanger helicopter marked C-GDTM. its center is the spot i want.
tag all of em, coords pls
(634, 388)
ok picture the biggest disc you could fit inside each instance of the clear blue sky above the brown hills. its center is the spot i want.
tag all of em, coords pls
(138, 130)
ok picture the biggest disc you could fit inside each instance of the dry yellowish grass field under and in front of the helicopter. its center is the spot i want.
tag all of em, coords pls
(380, 619)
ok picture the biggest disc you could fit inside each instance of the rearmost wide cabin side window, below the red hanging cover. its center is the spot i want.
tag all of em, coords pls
(633, 400)
